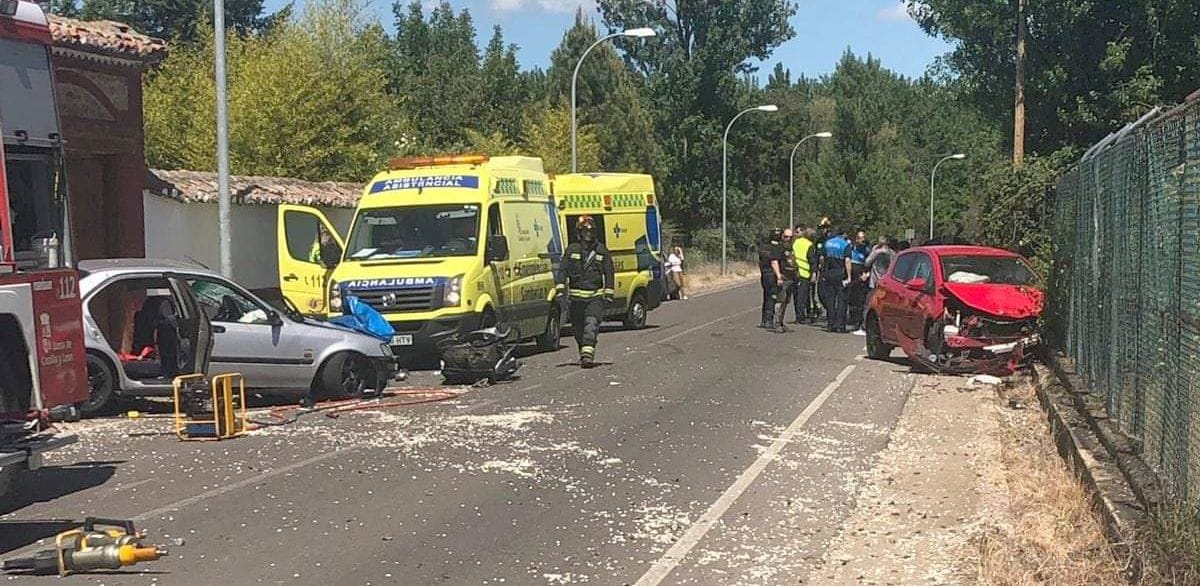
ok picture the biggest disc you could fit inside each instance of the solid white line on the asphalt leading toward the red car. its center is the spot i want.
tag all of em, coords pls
(671, 560)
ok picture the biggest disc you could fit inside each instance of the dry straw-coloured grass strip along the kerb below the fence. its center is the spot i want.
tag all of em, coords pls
(1053, 536)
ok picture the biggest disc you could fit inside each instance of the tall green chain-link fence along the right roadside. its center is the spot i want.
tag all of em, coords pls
(1125, 296)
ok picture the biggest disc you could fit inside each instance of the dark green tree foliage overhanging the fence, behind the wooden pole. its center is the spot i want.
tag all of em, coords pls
(1091, 67)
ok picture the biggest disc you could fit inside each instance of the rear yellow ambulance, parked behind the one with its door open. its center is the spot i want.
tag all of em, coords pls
(627, 217)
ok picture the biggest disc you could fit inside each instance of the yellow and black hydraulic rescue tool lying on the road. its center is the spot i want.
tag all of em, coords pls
(88, 549)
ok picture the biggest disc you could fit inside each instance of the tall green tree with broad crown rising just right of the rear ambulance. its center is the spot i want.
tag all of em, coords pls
(691, 86)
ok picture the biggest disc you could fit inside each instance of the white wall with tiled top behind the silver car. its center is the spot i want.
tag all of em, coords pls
(189, 232)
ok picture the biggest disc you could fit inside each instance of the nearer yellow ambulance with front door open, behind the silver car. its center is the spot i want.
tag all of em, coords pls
(437, 244)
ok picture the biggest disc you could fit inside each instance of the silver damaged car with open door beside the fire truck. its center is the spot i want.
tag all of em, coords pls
(141, 332)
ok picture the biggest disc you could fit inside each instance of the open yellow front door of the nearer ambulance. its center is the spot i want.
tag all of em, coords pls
(307, 262)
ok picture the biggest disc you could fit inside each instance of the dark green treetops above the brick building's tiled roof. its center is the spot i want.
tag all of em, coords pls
(176, 20)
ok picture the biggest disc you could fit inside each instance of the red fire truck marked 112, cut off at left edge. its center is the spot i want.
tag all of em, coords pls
(43, 362)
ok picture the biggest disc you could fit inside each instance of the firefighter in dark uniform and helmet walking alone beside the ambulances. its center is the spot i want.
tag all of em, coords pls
(586, 279)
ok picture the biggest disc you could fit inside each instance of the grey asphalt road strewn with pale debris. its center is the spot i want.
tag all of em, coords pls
(704, 451)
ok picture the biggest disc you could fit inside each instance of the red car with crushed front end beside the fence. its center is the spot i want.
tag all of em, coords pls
(957, 309)
